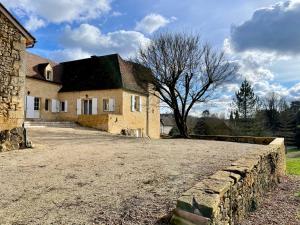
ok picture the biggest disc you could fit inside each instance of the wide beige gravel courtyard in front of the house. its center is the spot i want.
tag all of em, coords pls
(81, 176)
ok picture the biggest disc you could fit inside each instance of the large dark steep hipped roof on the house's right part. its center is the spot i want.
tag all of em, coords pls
(104, 72)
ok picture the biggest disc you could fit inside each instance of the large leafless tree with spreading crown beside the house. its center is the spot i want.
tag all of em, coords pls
(185, 72)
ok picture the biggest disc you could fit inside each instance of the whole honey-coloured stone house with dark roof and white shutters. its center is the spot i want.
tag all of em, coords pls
(104, 92)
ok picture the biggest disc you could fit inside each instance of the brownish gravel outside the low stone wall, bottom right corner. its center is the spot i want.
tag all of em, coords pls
(281, 207)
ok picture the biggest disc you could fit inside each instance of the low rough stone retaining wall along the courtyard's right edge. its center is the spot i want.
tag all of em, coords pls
(230, 194)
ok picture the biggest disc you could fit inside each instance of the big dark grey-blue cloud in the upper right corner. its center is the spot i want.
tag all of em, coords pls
(275, 28)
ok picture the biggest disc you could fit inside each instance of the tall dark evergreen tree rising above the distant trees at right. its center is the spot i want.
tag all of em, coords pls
(246, 101)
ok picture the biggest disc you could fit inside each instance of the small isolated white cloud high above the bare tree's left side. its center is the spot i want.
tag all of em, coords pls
(152, 23)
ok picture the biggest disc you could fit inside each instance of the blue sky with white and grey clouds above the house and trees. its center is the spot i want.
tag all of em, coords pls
(262, 36)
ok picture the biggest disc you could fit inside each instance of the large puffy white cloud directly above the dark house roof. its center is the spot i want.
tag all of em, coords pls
(89, 40)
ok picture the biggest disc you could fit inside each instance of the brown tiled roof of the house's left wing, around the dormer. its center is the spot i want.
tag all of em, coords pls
(35, 66)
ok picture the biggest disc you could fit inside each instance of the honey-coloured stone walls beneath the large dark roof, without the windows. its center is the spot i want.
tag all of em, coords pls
(147, 120)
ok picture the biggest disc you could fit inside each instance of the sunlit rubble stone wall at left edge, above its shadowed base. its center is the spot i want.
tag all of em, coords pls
(12, 75)
